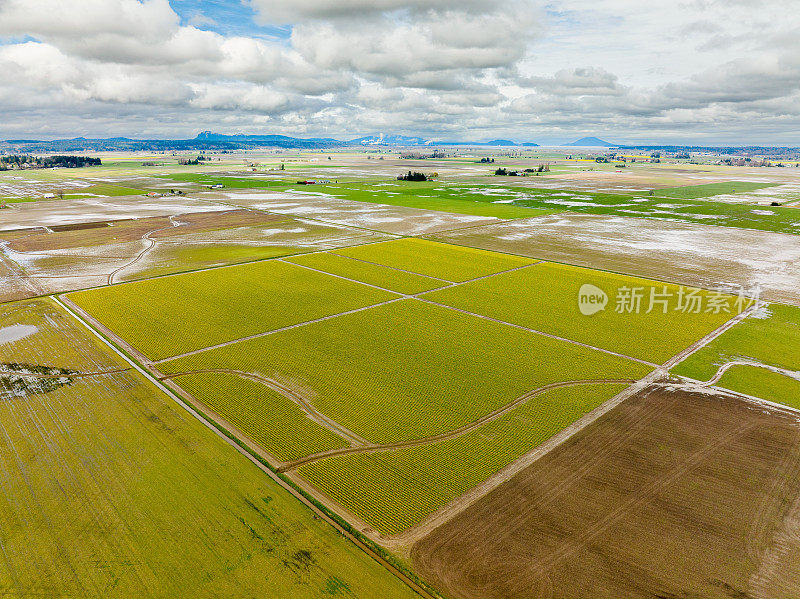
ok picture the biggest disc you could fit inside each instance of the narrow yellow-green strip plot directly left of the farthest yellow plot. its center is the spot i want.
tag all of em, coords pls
(372, 274)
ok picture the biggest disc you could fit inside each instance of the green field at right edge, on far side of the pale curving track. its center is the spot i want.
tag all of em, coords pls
(771, 338)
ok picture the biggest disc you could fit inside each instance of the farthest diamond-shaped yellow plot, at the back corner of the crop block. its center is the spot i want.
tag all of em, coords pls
(446, 262)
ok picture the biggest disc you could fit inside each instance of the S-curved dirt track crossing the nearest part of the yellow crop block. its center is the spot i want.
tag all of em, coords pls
(455, 433)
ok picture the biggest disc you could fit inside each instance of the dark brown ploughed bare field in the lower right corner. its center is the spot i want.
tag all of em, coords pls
(672, 495)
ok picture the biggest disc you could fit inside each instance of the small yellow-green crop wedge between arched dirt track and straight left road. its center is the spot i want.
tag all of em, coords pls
(273, 421)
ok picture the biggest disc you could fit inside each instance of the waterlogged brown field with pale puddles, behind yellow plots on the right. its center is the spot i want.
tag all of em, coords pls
(689, 254)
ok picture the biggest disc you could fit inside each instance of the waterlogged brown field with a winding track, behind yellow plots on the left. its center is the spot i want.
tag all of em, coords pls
(94, 253)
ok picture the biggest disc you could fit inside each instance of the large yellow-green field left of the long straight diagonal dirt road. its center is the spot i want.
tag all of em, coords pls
(110, 489)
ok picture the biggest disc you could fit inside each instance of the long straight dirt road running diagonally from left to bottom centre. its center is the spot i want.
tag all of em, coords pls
(258, 464)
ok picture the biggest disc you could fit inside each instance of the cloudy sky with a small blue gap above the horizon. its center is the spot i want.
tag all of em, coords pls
(690, 71)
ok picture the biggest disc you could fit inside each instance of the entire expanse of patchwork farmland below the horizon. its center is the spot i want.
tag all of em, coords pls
(333, 387)
